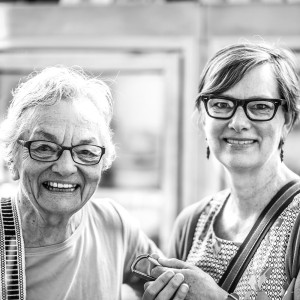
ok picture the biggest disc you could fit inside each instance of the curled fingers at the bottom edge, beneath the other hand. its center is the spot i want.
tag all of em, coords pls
(165, 287)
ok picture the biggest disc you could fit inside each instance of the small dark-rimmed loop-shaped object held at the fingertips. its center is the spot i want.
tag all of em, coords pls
(143, 265)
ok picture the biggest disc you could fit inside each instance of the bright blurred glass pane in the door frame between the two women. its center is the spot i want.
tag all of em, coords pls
(138, 126)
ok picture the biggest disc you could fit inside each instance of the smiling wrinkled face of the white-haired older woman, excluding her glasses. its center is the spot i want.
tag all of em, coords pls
(62, 186)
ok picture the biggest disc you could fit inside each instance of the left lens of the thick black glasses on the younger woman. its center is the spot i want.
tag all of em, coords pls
(220, 108)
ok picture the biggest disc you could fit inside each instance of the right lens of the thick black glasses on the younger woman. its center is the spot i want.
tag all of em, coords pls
(261, 109)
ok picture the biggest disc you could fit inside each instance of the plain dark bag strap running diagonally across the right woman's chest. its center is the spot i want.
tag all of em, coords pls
(248, 248)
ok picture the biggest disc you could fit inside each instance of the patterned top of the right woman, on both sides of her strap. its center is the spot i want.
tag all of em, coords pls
(265, 277)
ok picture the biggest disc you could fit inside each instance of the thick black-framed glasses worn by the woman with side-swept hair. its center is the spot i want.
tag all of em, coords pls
(256, 109)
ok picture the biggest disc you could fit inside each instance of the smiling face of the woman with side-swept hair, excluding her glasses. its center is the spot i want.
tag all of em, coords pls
(239, 143)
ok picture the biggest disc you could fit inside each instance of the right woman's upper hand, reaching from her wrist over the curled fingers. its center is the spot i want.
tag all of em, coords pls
(201, 285)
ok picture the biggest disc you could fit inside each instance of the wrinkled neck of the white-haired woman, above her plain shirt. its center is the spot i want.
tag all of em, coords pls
(43, 229)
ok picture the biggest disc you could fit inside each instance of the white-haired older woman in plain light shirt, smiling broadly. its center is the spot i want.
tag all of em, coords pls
(66, 244)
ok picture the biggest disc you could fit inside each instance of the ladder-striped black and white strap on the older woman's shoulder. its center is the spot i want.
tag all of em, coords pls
(12, 255)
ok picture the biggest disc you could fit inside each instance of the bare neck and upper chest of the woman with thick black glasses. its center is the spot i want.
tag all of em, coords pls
(250, 193)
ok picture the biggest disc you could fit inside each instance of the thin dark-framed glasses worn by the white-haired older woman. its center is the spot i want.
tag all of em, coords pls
(46, 151)
